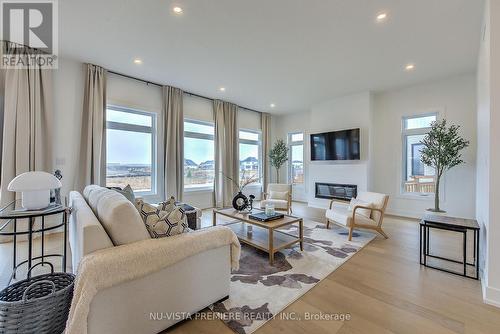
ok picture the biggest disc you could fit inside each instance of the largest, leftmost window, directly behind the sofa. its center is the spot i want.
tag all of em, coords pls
(130, 149)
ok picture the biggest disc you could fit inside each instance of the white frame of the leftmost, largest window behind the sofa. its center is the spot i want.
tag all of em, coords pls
(153, 130)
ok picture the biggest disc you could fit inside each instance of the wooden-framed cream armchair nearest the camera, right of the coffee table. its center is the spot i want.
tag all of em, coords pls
(340, 214)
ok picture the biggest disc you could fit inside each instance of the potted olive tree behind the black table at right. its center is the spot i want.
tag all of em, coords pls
(442, 147)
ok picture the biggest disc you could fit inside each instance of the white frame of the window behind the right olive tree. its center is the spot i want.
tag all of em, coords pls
(404, 157)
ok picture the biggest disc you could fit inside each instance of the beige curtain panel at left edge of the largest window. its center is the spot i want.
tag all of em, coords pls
(92, 164)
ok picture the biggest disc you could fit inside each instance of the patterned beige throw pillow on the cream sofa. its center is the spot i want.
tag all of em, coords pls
(162, 223)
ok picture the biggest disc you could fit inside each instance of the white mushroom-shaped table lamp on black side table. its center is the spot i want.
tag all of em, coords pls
(35, 188)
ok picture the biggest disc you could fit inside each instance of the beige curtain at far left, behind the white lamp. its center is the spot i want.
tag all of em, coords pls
(27, 120)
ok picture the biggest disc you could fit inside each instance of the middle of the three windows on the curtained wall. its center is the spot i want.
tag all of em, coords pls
(199, 164)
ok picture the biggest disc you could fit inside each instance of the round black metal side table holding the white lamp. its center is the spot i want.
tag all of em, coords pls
(10, 228)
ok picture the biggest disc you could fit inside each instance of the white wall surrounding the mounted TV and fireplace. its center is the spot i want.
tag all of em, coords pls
(350, 111)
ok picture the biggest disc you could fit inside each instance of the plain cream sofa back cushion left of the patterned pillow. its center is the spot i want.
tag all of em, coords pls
(117, 215)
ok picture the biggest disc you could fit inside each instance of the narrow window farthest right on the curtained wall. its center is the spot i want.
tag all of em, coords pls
(249, 155)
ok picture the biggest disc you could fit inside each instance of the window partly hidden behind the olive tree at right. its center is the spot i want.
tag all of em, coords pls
(417, 177)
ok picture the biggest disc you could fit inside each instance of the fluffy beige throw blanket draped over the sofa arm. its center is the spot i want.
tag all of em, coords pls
(109, 267)
